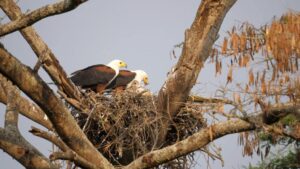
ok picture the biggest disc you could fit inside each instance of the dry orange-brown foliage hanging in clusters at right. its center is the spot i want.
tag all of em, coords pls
(270, 54)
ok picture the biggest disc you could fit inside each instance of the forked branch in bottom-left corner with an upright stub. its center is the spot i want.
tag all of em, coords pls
(12, 142)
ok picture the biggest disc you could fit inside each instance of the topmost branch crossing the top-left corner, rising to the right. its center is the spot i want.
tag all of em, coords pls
(41, 13)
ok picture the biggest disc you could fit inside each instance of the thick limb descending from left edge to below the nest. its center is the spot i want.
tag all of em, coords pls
(62, 120)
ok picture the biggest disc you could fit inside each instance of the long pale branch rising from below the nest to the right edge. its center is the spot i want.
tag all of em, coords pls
(203, 137)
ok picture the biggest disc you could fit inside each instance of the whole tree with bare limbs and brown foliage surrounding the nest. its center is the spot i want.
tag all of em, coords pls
(196, 49)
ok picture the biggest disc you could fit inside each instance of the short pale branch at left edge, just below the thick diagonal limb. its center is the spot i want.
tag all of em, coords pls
(26, 108)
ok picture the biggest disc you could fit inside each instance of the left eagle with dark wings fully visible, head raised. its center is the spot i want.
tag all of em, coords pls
(97, 77)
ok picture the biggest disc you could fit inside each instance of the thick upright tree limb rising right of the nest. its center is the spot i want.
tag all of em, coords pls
(199, 39)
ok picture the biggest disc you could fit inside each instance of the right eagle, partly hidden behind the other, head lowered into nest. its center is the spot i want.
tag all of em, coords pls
(127, 79)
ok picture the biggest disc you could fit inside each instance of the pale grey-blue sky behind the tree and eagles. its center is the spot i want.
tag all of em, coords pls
(142, 33)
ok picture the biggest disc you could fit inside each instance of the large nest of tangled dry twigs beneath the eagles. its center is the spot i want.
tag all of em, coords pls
(126, 125)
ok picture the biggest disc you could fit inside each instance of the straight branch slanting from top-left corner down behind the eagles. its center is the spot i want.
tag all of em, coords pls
(50, 63)
